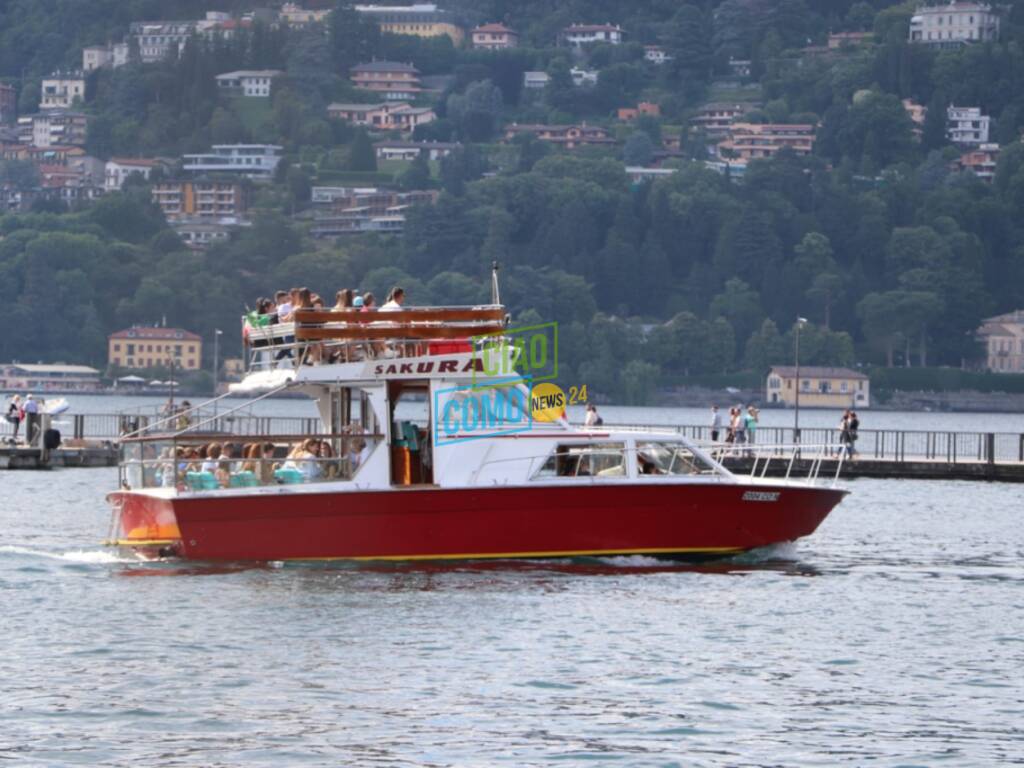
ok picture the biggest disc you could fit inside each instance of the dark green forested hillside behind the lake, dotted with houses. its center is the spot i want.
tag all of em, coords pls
(879, 238)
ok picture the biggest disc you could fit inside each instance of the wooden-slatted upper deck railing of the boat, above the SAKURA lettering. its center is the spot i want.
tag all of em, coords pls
(332, 336)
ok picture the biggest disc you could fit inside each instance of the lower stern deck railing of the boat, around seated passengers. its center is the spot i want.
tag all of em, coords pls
(183, 461)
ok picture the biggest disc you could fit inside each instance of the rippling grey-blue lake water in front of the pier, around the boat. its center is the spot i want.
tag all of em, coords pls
(891, 637)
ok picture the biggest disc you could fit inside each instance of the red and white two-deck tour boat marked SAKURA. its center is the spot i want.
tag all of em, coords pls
(420, 454)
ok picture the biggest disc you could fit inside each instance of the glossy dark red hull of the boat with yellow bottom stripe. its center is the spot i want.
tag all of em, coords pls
(428, 523)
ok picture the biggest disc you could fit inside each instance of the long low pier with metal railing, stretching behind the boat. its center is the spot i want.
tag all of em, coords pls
(91, 441)
